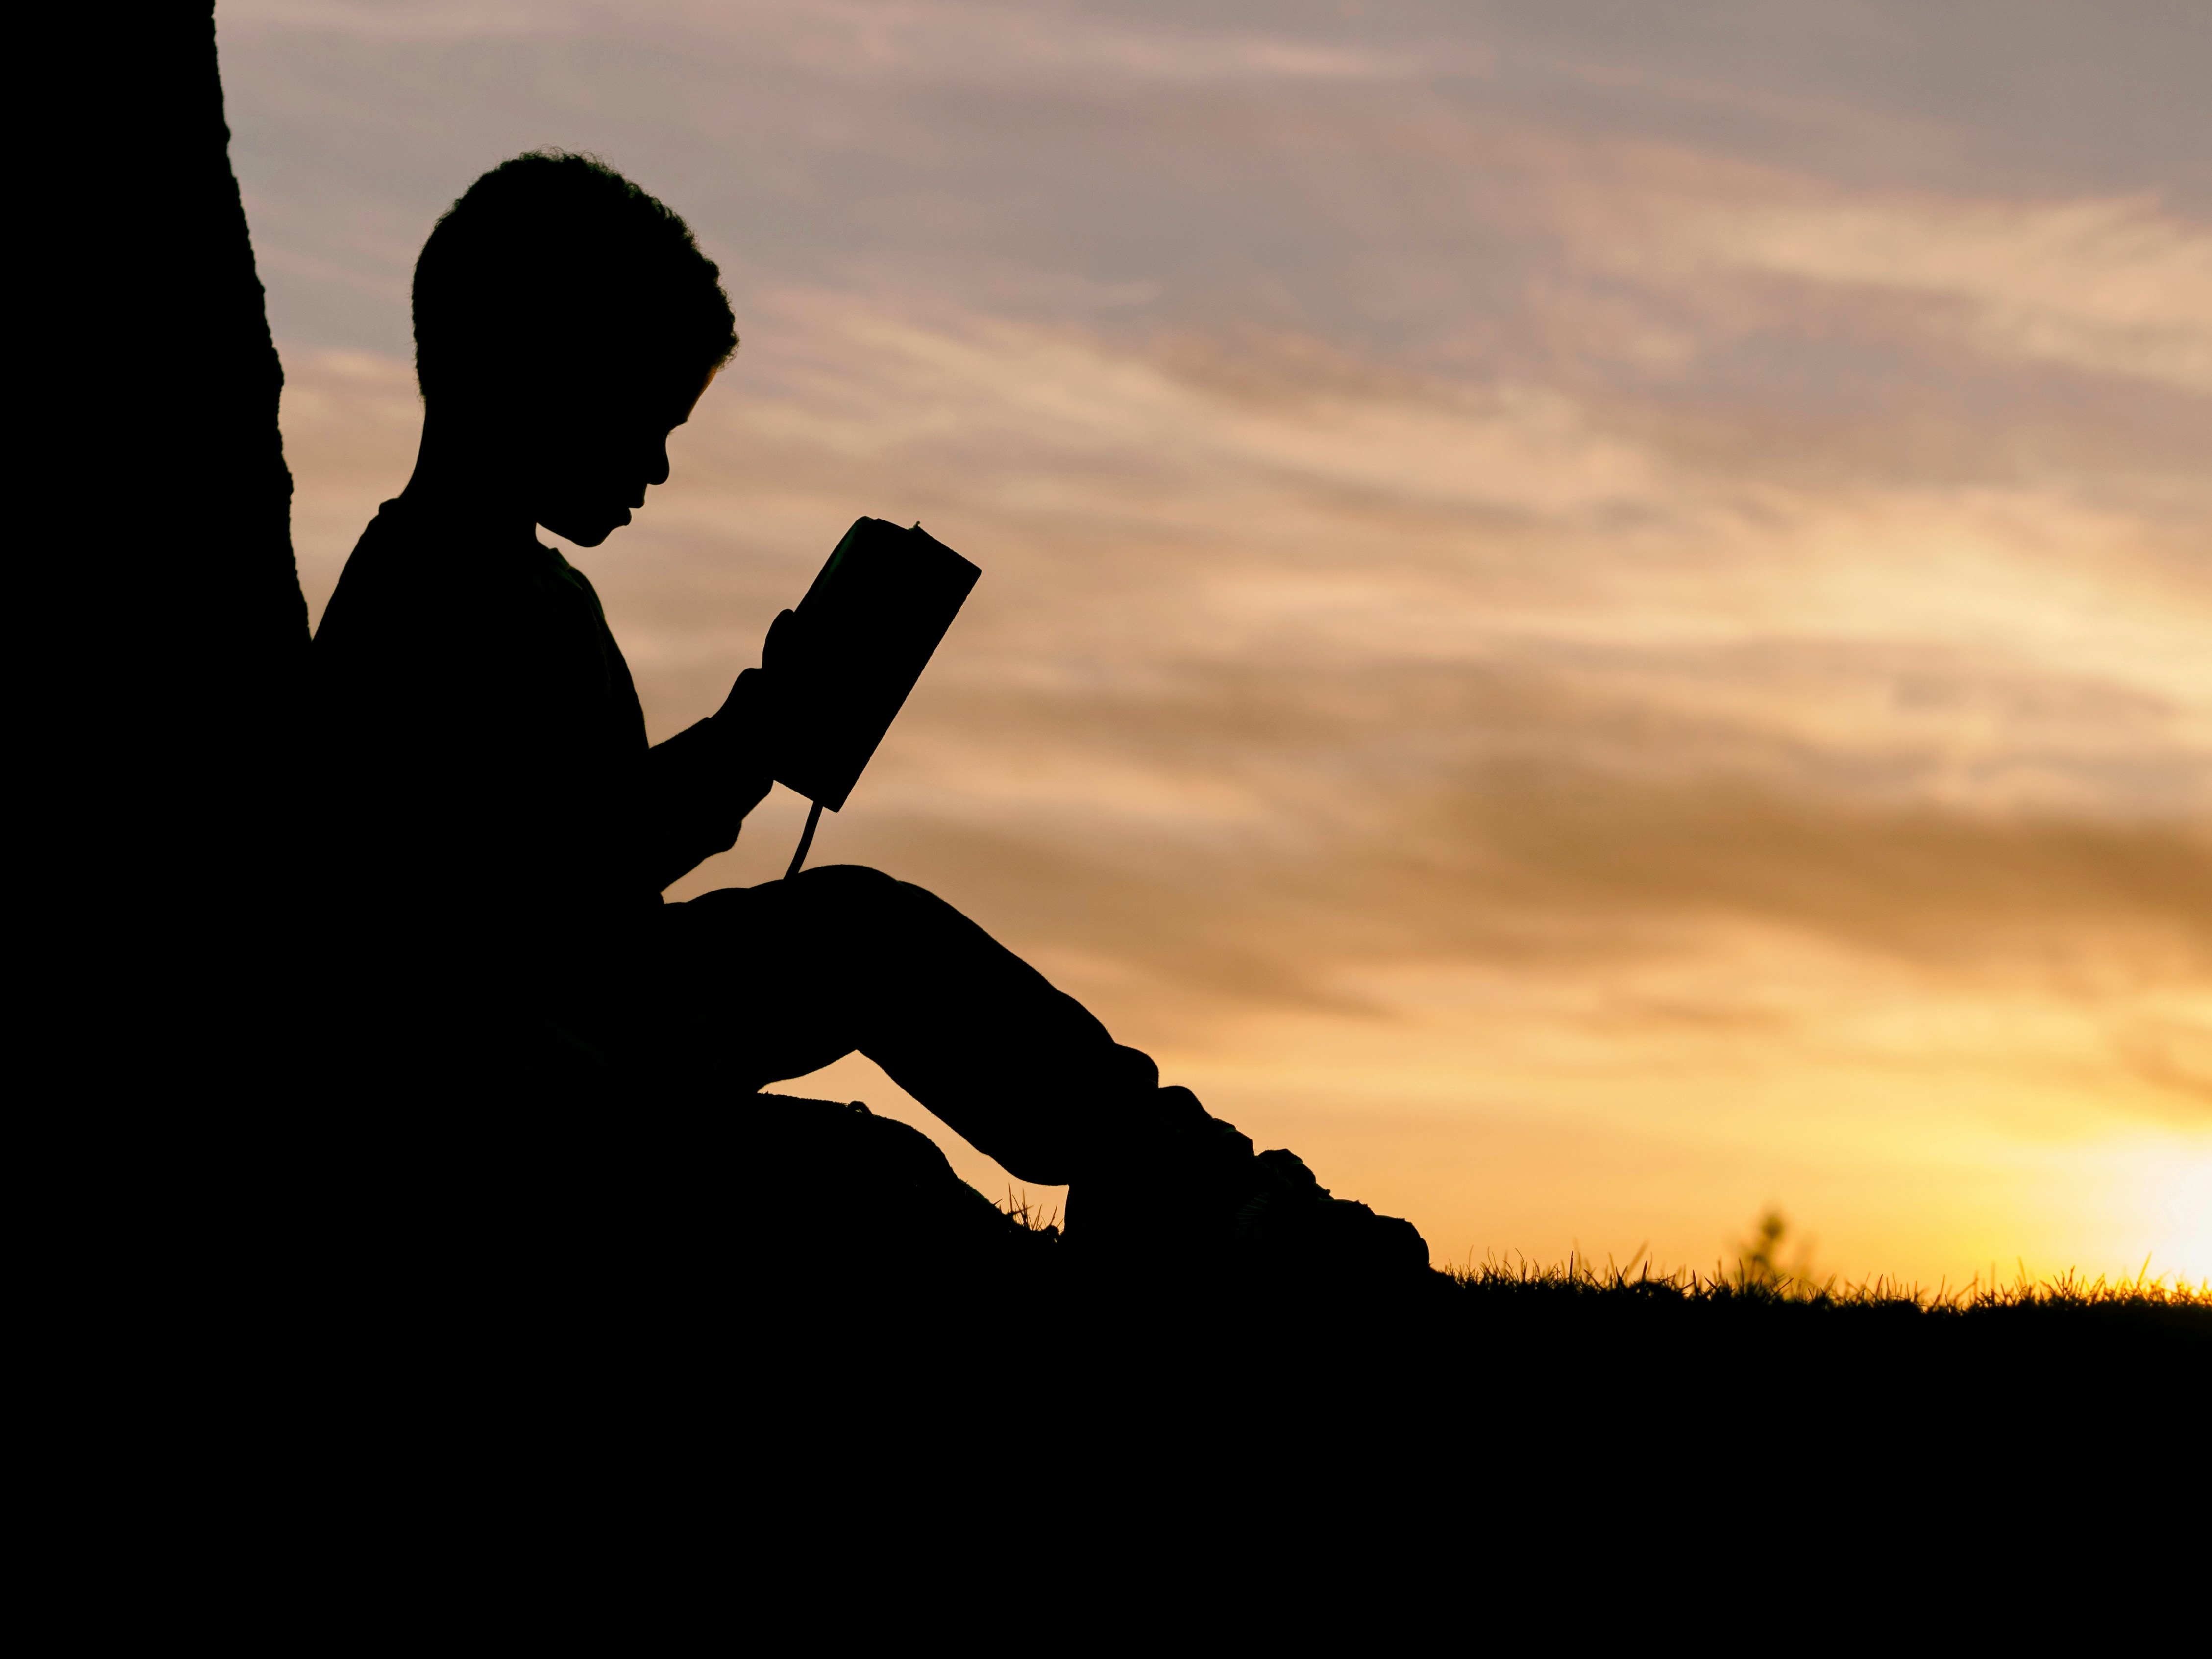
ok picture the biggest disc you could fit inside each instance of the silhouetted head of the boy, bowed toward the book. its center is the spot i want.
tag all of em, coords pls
(565, 326)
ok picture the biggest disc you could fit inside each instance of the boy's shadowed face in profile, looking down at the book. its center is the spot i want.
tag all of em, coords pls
(594, 468)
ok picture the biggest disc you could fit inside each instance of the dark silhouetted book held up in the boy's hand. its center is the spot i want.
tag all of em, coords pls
(870, 623)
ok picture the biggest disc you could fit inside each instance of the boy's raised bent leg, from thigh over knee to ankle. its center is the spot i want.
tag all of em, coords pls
(782, 979)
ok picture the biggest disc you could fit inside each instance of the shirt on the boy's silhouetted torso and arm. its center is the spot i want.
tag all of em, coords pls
(490, 800)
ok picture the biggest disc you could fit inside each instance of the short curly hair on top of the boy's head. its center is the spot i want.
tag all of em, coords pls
(559, 260)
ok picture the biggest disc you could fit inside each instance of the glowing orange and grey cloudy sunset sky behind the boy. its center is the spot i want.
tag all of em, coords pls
(1596, 616)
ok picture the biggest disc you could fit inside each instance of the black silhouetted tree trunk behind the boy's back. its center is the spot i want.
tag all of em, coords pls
(167, 627)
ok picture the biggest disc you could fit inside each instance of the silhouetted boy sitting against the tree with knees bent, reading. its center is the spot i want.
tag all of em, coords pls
(499, 831)
